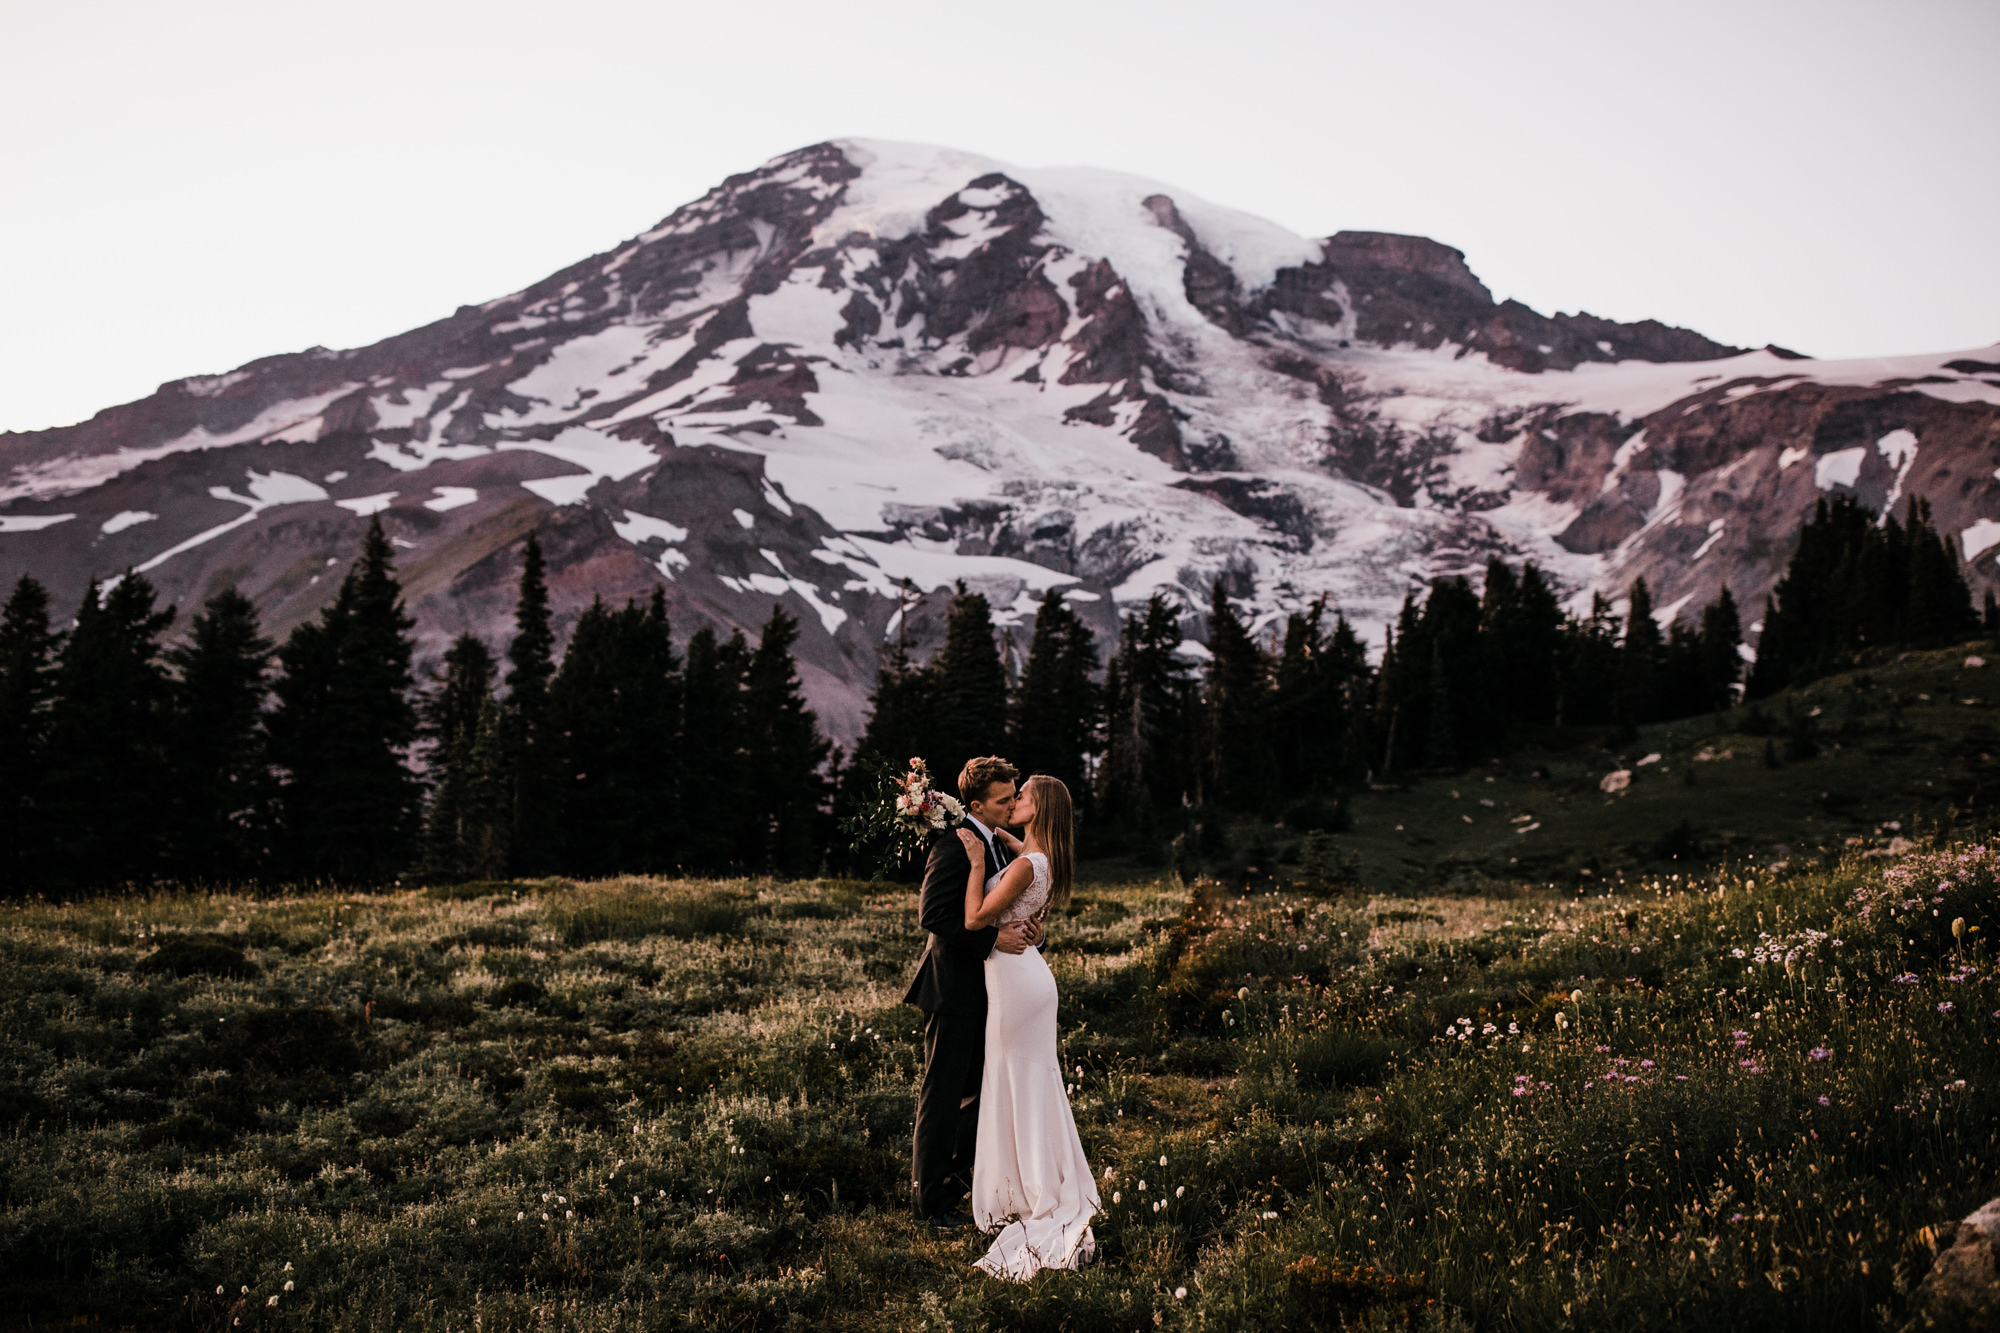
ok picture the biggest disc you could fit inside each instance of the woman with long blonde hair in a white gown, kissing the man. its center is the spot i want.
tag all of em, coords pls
(1029, 1174)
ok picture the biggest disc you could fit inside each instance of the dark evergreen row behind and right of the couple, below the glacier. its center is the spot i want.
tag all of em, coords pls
(1159, 732)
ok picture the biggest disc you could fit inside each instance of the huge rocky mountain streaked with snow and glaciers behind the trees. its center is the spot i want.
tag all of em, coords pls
(875, 365)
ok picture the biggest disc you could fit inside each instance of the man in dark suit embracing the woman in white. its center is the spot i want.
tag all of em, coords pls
(951, 990)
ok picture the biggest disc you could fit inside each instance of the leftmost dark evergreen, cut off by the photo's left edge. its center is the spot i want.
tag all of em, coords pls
(27, 684)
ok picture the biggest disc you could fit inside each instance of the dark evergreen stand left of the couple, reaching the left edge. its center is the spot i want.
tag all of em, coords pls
(231, 760)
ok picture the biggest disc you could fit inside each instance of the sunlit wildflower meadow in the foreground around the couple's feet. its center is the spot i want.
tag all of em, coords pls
(1699, 1102)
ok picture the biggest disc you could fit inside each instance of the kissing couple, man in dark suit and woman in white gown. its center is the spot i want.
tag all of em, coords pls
(993, 1114)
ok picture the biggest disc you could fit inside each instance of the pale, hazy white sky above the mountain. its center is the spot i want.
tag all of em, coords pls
(197, 185)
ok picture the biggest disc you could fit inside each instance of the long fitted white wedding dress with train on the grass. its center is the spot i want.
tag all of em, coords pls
(1029, 1172)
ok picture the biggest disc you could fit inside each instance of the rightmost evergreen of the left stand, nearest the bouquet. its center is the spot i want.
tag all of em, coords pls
(785, 760)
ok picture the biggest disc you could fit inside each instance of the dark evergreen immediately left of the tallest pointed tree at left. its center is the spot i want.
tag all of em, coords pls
(221, 792)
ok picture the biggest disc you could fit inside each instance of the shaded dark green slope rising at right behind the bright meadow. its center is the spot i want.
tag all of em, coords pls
(1903, 746)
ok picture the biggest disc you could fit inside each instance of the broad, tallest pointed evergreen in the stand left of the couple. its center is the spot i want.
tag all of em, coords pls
(343, 728)
